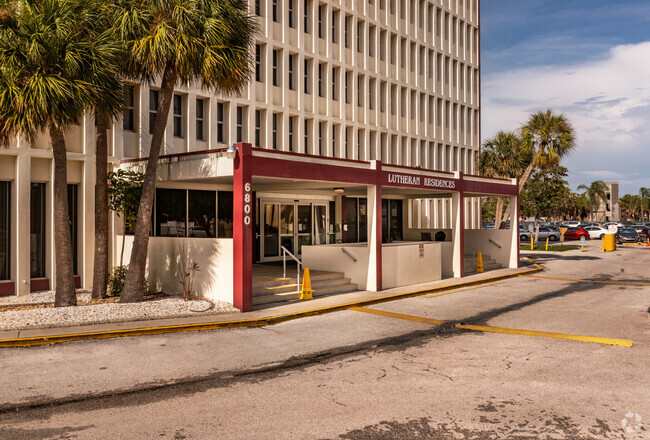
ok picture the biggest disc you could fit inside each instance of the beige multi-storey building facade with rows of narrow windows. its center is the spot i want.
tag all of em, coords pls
(390, 81)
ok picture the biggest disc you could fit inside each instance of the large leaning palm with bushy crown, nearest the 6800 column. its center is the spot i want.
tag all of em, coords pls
(184, 41)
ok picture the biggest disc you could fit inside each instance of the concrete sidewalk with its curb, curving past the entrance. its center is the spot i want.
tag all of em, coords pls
(268, 315)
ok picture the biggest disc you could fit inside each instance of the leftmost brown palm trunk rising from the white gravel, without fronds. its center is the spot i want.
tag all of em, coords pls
(65, 294)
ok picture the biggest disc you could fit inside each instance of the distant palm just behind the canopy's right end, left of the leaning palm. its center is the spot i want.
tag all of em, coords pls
(503, 156)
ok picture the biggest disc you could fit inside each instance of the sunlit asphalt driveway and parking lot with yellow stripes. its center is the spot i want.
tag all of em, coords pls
(573, 363)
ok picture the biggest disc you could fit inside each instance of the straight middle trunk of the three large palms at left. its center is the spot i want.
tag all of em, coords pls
(100, 268)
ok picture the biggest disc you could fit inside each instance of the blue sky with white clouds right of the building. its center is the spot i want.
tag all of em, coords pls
(588, 59)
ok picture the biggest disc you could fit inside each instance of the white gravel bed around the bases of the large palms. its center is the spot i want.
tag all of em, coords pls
(164, 307)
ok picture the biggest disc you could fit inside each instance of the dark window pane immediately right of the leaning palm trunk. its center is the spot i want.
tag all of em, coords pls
(170, 212)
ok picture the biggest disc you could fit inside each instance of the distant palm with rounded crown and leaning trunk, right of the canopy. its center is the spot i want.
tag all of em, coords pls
(550, 137)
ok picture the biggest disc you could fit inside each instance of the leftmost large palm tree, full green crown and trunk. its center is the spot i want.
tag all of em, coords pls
(54, 64)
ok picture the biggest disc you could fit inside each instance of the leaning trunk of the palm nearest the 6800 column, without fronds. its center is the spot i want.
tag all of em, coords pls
(134, 284)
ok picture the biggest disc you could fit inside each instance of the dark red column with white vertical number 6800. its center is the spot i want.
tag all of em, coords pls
(243, 222)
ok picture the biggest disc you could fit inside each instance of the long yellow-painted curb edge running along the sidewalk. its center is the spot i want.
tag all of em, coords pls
(271, 320)
